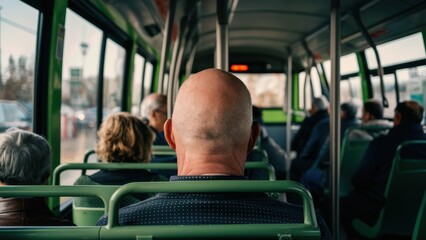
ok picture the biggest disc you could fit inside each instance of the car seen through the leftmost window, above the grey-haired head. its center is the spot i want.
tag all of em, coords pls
(14, 114)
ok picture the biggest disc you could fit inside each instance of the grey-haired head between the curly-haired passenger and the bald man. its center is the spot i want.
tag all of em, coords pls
(154, 109)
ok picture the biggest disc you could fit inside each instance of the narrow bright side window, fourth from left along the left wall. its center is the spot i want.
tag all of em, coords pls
(137, 84)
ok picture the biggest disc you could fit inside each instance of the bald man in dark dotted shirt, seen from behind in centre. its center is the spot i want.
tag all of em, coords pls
(212, 131)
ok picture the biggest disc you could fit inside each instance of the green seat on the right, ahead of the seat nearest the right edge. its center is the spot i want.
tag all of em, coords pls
(351, 156)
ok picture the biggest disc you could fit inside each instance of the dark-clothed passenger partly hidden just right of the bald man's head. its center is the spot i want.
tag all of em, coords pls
(277, 157)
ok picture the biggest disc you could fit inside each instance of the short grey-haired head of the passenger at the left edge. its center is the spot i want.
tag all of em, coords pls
(24, 158)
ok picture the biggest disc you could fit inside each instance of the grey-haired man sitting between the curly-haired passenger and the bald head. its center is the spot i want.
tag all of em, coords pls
(154, 111)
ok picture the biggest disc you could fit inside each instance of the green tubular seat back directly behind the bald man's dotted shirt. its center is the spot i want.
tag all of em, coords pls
(307, 230)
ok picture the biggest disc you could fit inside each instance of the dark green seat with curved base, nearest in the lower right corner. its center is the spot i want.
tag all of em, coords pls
(403, 194)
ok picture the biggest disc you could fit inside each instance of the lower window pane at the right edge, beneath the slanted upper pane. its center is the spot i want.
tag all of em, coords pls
(412, 84)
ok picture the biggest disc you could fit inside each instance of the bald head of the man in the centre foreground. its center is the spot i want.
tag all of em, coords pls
(212, 128)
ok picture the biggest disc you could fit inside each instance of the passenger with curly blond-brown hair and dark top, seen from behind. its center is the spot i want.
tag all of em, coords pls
(123, 138)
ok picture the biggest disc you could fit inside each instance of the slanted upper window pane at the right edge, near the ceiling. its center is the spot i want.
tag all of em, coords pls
(390, 53)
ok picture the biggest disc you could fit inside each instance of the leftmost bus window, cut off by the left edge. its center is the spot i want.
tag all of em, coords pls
(17, 64)
